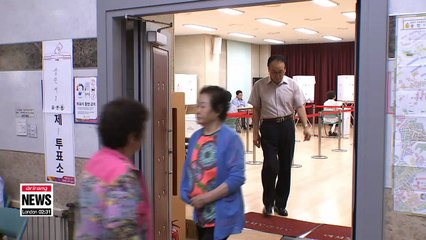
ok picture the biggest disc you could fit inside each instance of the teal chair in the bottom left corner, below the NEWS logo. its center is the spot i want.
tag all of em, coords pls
(11, 224)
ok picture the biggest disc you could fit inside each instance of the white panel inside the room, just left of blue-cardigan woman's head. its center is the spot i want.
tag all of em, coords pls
(187, 83)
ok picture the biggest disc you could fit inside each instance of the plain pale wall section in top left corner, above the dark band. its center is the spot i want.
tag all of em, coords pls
(38, 20)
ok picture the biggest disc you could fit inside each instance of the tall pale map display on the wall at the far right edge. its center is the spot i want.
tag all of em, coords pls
(410, 116)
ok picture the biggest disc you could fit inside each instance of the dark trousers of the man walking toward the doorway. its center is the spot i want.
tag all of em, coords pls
(277, 139)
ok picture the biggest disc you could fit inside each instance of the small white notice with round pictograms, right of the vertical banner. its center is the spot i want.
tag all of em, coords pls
(85, 100)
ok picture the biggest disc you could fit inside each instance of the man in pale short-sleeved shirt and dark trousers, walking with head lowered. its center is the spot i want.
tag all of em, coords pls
(274, 99)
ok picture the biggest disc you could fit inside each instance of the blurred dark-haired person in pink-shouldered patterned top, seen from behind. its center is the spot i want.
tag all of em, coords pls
(113, 197)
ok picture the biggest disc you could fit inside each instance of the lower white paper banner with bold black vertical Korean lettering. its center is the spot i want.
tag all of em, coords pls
(59, 148)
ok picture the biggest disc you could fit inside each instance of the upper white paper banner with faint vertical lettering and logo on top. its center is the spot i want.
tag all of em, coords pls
(57, 76)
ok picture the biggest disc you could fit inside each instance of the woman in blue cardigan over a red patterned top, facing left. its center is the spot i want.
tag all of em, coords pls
(213, 171)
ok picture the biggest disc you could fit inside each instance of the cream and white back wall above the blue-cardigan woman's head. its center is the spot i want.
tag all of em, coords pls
(232, 69)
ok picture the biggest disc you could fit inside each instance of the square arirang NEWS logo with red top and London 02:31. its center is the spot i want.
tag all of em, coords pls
(36, 199)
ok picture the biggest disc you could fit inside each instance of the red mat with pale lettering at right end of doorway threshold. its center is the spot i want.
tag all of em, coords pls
(329, 232)
